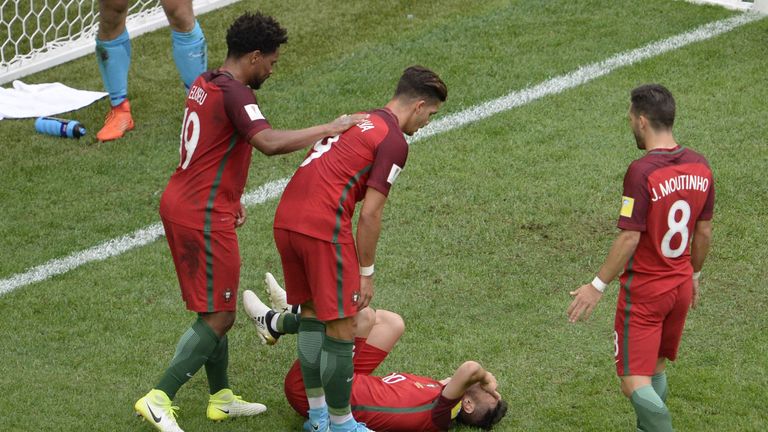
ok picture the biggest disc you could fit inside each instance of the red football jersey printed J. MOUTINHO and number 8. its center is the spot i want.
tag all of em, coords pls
(665, 193)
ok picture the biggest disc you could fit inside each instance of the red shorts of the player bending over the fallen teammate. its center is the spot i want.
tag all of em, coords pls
(326, 273)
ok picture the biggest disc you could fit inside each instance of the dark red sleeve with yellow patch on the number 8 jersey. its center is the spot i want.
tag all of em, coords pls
(635, 199)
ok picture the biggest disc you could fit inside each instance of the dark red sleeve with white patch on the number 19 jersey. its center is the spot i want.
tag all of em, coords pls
(243, 111)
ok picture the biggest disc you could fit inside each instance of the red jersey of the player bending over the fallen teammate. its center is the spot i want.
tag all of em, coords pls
(320, 199)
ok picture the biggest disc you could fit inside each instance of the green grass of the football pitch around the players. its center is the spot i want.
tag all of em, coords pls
(486, 231)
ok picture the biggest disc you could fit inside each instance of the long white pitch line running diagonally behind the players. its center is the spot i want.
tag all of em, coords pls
(514, 99)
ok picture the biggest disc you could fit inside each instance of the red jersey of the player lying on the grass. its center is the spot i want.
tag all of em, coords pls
(402, 402)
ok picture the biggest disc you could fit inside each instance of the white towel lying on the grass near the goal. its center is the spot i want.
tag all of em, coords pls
(37, 100)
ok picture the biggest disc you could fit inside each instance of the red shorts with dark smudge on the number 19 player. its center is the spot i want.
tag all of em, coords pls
(208, 268)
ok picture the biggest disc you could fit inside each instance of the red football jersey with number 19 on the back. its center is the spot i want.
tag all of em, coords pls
(220, 118)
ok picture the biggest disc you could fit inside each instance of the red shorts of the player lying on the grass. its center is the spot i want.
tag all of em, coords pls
(366, 359)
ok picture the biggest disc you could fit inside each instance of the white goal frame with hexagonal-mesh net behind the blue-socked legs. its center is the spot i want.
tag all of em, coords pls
(39, 34)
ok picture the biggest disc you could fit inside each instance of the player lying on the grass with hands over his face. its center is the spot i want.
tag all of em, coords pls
(398, 401)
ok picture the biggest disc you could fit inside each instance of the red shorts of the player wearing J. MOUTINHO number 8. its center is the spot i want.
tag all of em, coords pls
(645, 332)
